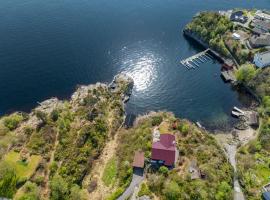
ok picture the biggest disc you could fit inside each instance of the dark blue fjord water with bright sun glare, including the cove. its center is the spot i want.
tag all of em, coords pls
(49, 47)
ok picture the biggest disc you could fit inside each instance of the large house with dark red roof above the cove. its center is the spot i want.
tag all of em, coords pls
(164, 149)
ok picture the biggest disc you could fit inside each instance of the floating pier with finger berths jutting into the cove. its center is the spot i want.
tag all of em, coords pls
(194, 61)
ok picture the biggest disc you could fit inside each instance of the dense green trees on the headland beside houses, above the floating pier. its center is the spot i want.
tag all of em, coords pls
(216, 31)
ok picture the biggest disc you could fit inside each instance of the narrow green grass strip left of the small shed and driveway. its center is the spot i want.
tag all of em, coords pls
(109, 174)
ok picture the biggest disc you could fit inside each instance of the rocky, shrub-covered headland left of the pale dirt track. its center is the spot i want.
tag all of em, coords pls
(47, 154)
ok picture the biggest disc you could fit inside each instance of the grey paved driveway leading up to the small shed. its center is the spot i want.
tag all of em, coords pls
(137, 178)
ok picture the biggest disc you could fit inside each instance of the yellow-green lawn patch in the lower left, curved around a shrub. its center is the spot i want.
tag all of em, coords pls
(23, 169)
